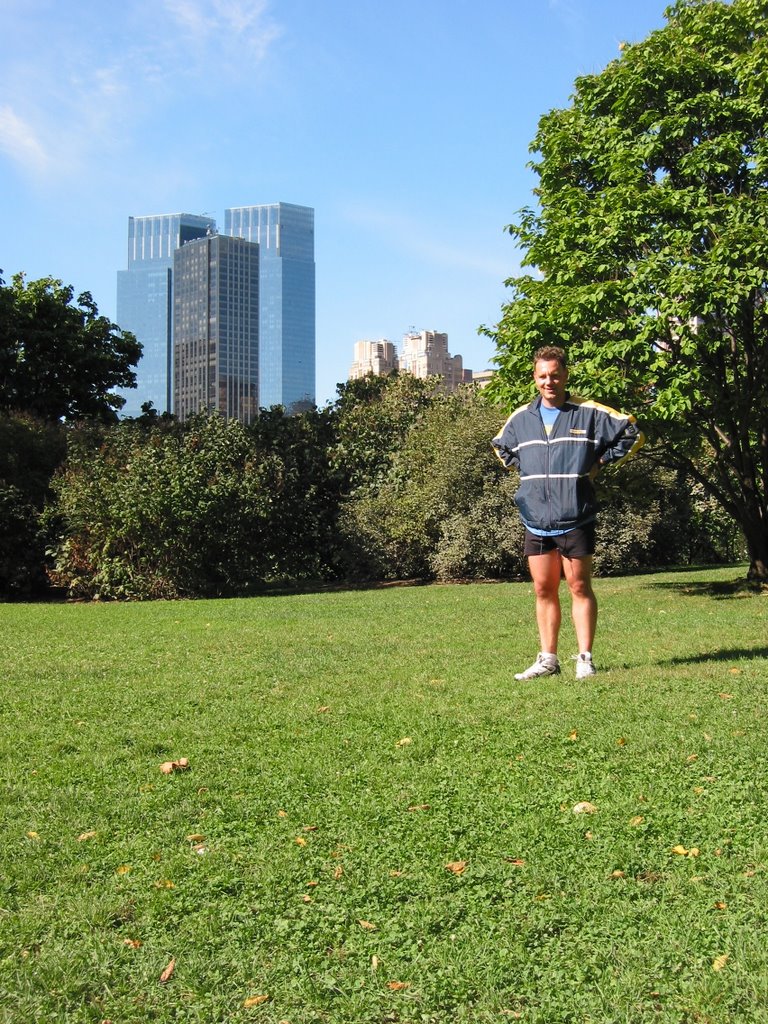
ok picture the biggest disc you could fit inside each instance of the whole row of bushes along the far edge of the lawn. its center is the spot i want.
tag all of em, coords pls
(395, 481)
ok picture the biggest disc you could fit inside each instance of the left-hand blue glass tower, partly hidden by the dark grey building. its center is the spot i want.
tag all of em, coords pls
(145, 304)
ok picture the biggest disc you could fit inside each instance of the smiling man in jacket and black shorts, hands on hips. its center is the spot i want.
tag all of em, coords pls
(560, 444)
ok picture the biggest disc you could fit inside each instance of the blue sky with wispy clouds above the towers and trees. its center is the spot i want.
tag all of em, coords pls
(406, 124)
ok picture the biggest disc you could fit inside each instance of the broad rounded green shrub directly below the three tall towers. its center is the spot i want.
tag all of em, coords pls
(174, 513)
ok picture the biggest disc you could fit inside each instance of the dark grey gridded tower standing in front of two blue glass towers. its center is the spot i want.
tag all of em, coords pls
(217, 328)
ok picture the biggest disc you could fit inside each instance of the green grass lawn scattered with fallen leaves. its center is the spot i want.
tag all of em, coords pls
(345, 749)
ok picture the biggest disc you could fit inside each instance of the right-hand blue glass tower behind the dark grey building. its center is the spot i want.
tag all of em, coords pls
(286, 237)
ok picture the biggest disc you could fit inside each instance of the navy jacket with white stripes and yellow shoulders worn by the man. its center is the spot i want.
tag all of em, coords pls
(556, 491)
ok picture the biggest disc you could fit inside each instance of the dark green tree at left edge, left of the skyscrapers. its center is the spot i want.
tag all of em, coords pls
(60, 359)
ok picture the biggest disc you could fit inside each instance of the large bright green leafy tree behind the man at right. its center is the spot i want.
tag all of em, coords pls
(649, 250)
